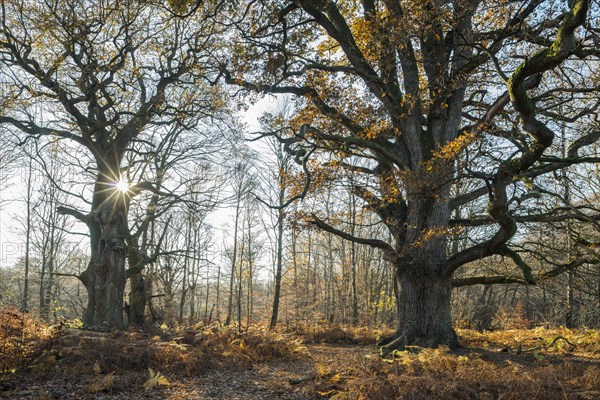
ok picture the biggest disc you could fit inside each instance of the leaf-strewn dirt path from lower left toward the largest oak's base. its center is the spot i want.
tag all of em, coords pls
(277, 379)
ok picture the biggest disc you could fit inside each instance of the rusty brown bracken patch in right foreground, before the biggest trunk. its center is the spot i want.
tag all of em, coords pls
(438, 374)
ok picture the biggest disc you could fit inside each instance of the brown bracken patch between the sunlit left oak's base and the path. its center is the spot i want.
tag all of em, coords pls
(184, 350)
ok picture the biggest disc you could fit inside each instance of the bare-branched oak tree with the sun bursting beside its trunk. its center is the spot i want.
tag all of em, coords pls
(104, 73)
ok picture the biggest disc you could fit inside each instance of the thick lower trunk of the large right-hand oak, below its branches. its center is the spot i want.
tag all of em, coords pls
(424, 314)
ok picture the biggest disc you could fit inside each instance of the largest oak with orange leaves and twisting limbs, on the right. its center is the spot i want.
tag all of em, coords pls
(399, 91)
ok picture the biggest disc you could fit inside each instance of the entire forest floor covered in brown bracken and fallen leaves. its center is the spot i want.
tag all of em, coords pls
(301, 362)
